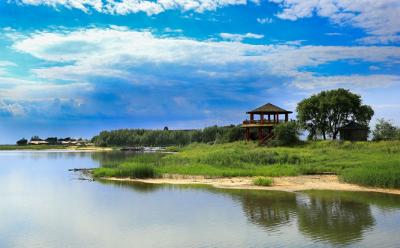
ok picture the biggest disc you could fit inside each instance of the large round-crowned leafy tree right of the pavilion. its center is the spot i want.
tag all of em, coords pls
(324, 113)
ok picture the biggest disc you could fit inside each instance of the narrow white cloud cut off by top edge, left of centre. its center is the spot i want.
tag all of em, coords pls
(124, 7)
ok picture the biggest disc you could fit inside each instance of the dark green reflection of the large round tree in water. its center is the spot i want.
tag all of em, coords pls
(333, 217)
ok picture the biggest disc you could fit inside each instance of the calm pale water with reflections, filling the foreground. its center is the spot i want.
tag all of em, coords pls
(44, 205)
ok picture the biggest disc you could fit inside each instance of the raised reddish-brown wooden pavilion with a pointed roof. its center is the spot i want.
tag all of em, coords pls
(268, 116)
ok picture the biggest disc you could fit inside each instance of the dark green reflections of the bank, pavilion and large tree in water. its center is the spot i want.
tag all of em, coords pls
(334, 217)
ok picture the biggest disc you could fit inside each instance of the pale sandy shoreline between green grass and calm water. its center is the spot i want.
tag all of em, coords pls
(289, 184)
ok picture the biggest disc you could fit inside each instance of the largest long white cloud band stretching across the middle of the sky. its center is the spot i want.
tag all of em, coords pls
(142, 58)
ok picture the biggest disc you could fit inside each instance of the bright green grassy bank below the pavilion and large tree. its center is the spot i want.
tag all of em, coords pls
(366, 163)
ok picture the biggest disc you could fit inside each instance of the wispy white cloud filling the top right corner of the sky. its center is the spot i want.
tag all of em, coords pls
(379, 18)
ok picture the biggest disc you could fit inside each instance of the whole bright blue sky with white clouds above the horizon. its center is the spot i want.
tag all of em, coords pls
(76, 67)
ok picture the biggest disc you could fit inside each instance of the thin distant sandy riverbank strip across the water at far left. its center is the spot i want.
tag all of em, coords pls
(53, 148)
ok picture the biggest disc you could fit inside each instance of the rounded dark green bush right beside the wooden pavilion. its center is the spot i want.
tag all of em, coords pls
(287, 134)
